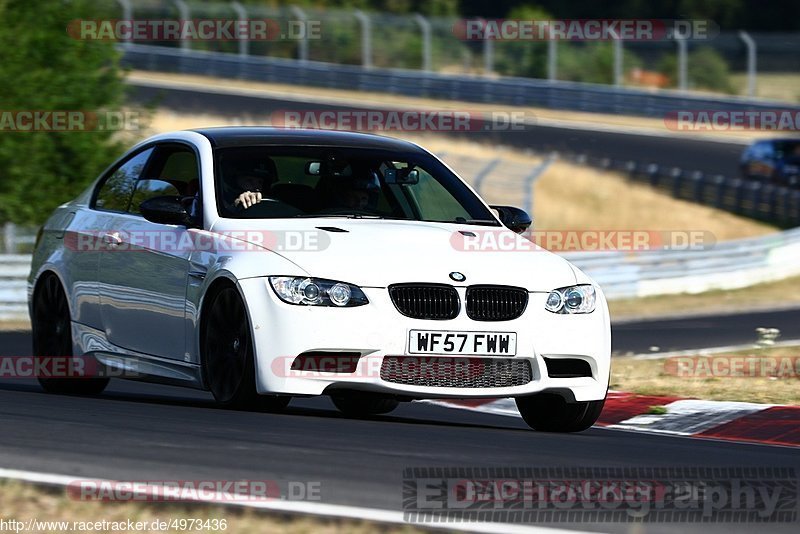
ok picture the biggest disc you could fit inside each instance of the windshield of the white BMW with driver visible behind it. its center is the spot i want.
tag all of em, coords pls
(342, 182)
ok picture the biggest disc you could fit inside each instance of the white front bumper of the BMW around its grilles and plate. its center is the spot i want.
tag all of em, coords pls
(282, 331)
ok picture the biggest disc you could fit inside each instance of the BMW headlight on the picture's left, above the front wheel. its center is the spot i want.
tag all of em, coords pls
(306, 291)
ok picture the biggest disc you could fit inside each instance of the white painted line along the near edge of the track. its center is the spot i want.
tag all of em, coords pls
(298, 507)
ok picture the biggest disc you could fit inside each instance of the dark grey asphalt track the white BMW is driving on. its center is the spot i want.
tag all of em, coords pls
(137, 431)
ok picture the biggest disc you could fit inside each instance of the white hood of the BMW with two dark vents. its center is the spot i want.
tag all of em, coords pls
(377, 253)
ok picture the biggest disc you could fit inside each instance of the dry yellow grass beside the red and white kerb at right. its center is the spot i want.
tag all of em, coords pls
(649, 377)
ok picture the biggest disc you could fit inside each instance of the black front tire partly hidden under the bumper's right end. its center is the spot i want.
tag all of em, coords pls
(552, 413)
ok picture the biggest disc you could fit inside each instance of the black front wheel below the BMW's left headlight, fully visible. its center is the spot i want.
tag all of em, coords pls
(228, 361)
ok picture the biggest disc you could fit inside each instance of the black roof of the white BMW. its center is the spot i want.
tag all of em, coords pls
(234, 136)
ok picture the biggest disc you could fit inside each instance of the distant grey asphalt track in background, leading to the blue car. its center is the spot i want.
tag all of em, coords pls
(687, 153)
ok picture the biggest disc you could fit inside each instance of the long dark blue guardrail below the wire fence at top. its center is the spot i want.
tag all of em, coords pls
(510, 91)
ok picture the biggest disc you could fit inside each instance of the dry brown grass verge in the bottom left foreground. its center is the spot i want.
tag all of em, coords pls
(21, 502)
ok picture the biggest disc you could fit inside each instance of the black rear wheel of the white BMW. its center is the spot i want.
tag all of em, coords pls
(51, 329)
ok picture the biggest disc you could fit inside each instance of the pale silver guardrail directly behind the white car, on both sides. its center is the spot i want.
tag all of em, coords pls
(727, 265)
